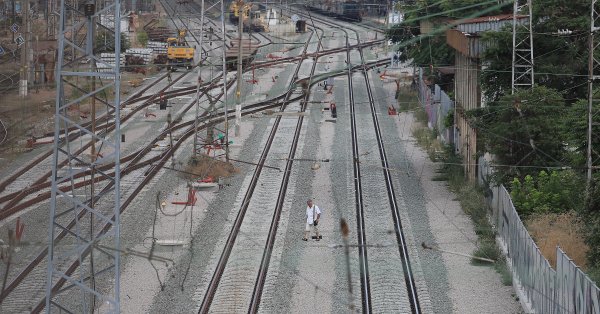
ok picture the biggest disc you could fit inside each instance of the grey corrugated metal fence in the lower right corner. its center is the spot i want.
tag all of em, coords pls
(545, 290)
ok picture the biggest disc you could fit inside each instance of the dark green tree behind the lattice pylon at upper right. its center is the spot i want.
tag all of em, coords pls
(560, 60)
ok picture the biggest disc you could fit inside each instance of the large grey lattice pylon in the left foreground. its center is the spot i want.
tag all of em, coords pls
(84, 244)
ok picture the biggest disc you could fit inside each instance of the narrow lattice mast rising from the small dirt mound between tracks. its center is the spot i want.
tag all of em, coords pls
(209, 59)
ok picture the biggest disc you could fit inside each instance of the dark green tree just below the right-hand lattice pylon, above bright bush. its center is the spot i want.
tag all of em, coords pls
(522, 130)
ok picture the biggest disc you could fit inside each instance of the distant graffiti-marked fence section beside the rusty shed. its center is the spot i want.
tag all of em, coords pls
(437, 105)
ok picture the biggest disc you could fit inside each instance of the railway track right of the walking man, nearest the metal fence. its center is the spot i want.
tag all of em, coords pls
(362, 217)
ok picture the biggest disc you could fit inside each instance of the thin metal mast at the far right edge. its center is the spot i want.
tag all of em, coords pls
(593, 74)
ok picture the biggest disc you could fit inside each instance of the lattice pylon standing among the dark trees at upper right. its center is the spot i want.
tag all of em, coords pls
(522, 61)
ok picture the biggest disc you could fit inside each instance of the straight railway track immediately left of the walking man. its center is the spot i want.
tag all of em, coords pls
(218, 294)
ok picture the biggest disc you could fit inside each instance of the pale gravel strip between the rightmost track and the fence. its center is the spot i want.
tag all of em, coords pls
(471, 289)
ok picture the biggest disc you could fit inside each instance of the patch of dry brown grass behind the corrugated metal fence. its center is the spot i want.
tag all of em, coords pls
(550, 230)
